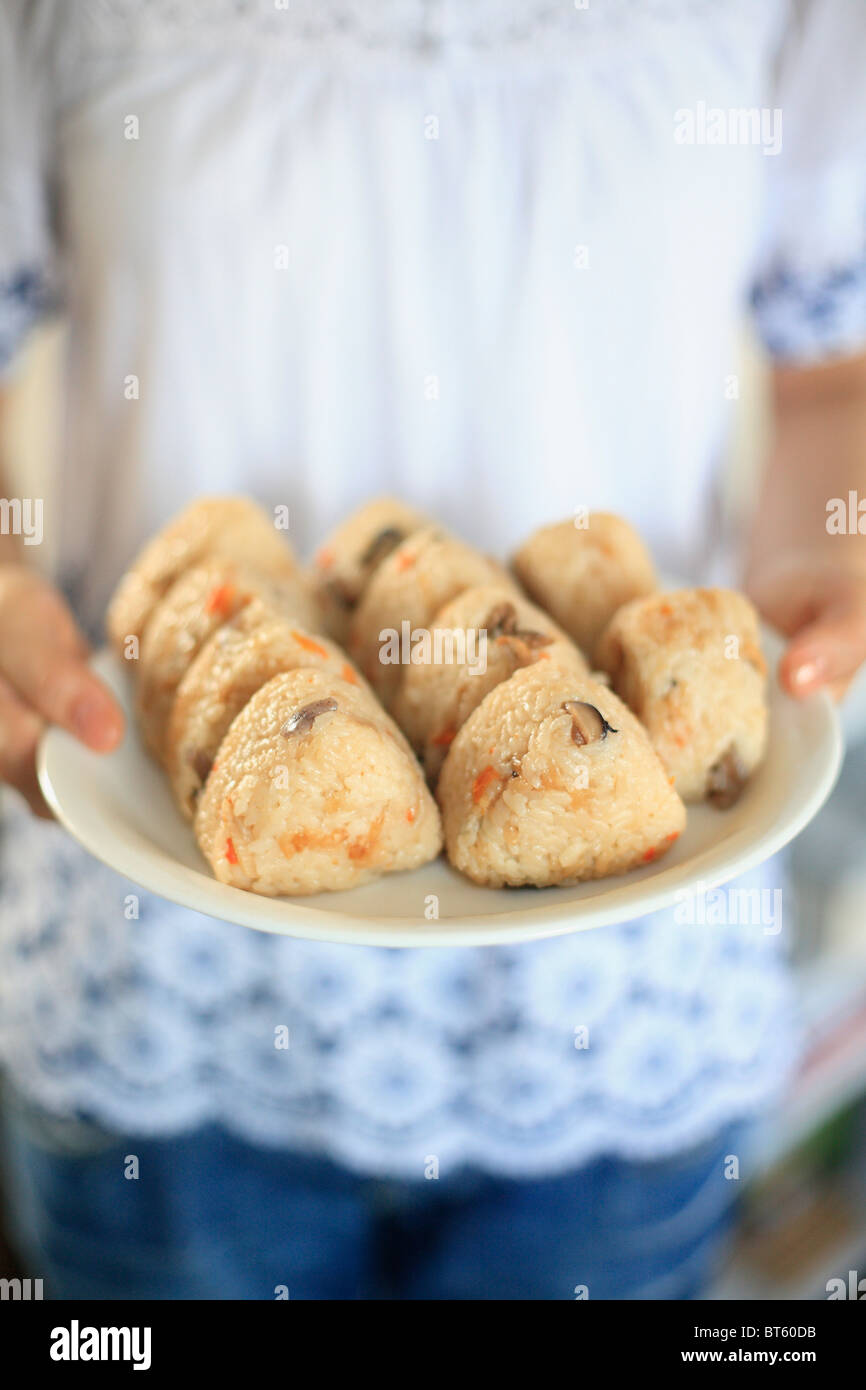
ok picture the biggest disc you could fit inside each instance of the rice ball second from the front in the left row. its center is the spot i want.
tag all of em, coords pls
(234, 664)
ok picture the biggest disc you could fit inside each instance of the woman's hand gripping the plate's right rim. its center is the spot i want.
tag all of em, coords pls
(821, 607)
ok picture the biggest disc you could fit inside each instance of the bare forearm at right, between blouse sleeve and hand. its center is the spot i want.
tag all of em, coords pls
(818, 455)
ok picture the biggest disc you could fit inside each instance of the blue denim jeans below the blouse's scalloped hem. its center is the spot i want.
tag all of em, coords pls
(212, 1217)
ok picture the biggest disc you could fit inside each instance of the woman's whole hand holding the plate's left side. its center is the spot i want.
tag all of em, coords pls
(45, 680)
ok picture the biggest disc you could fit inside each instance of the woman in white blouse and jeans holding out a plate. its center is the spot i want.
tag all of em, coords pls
(490, 258)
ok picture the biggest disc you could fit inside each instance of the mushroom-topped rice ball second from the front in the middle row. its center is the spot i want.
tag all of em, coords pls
(477, 640)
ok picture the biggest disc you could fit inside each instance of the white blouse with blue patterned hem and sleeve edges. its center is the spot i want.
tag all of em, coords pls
(490, 256)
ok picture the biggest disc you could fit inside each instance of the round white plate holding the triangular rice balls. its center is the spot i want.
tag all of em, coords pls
(120, 810)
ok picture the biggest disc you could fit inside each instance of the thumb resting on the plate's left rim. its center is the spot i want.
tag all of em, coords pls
(62, 690)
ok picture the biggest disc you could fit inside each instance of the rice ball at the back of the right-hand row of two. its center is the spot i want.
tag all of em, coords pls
(583, 575)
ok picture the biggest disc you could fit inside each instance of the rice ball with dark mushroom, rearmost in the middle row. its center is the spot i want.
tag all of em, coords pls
(345, 564)
